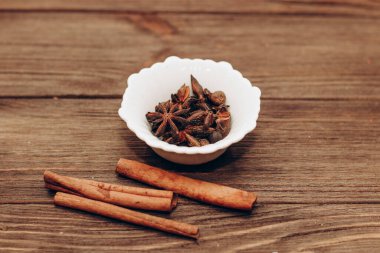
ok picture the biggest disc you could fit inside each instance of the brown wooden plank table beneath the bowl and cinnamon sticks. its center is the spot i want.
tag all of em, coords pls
(313, 160)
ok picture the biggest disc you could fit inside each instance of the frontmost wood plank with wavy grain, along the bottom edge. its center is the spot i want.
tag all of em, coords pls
(281, 228)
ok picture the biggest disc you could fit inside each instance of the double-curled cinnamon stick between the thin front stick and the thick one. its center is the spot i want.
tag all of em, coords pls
(83, 188)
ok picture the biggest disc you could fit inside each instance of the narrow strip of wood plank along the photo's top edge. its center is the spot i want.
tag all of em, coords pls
(331, 7)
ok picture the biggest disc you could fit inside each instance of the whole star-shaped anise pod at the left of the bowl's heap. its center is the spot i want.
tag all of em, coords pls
(167, 114)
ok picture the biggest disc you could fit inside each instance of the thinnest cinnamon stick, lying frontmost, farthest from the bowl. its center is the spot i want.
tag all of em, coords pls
(119, 213)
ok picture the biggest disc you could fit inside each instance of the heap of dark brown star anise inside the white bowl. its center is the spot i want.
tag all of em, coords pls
(192, 121)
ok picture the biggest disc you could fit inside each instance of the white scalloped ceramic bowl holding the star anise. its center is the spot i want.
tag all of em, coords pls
(155, 84)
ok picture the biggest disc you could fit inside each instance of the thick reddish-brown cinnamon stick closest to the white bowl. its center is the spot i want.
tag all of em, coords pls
(200, 190)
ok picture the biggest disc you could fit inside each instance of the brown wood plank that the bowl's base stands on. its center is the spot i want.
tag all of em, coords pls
(301, 151)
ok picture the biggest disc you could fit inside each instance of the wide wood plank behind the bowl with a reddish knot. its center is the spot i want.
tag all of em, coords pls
(286, 56)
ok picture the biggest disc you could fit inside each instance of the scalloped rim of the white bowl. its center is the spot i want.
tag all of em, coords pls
(207, 149)
